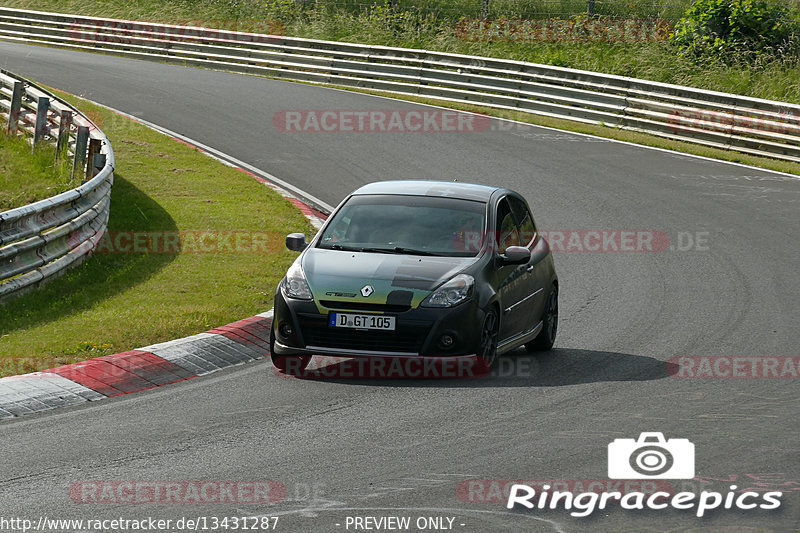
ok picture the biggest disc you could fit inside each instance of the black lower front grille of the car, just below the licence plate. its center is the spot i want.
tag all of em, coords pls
(406, 338)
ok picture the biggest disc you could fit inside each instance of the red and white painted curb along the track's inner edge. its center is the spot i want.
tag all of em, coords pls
(153, 366)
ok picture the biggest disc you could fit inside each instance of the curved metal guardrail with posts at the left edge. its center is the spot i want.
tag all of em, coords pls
(40, 240)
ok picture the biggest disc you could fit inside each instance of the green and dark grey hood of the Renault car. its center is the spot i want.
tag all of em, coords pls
(395, 279)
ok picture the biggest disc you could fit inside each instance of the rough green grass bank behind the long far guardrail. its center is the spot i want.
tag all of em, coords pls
(431, 24)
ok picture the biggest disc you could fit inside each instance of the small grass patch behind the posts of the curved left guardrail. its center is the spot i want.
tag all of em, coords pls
(28, 175)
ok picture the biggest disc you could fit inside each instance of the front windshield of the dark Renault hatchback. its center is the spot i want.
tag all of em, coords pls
(414, 225)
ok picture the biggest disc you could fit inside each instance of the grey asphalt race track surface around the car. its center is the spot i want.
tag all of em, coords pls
(402, 447)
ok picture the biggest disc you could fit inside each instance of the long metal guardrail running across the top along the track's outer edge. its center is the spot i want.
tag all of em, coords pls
(750, 125)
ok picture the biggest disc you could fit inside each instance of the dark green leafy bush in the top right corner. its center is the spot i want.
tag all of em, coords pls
(736, 31)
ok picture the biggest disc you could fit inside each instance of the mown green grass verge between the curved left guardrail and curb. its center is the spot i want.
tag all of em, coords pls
(120, 301)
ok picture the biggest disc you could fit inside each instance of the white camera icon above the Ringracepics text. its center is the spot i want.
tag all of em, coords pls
(651, 457)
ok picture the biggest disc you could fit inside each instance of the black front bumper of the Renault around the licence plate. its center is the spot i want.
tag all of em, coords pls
(418, 332)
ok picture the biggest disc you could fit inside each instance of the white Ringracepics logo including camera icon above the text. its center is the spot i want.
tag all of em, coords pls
(648, 457)
